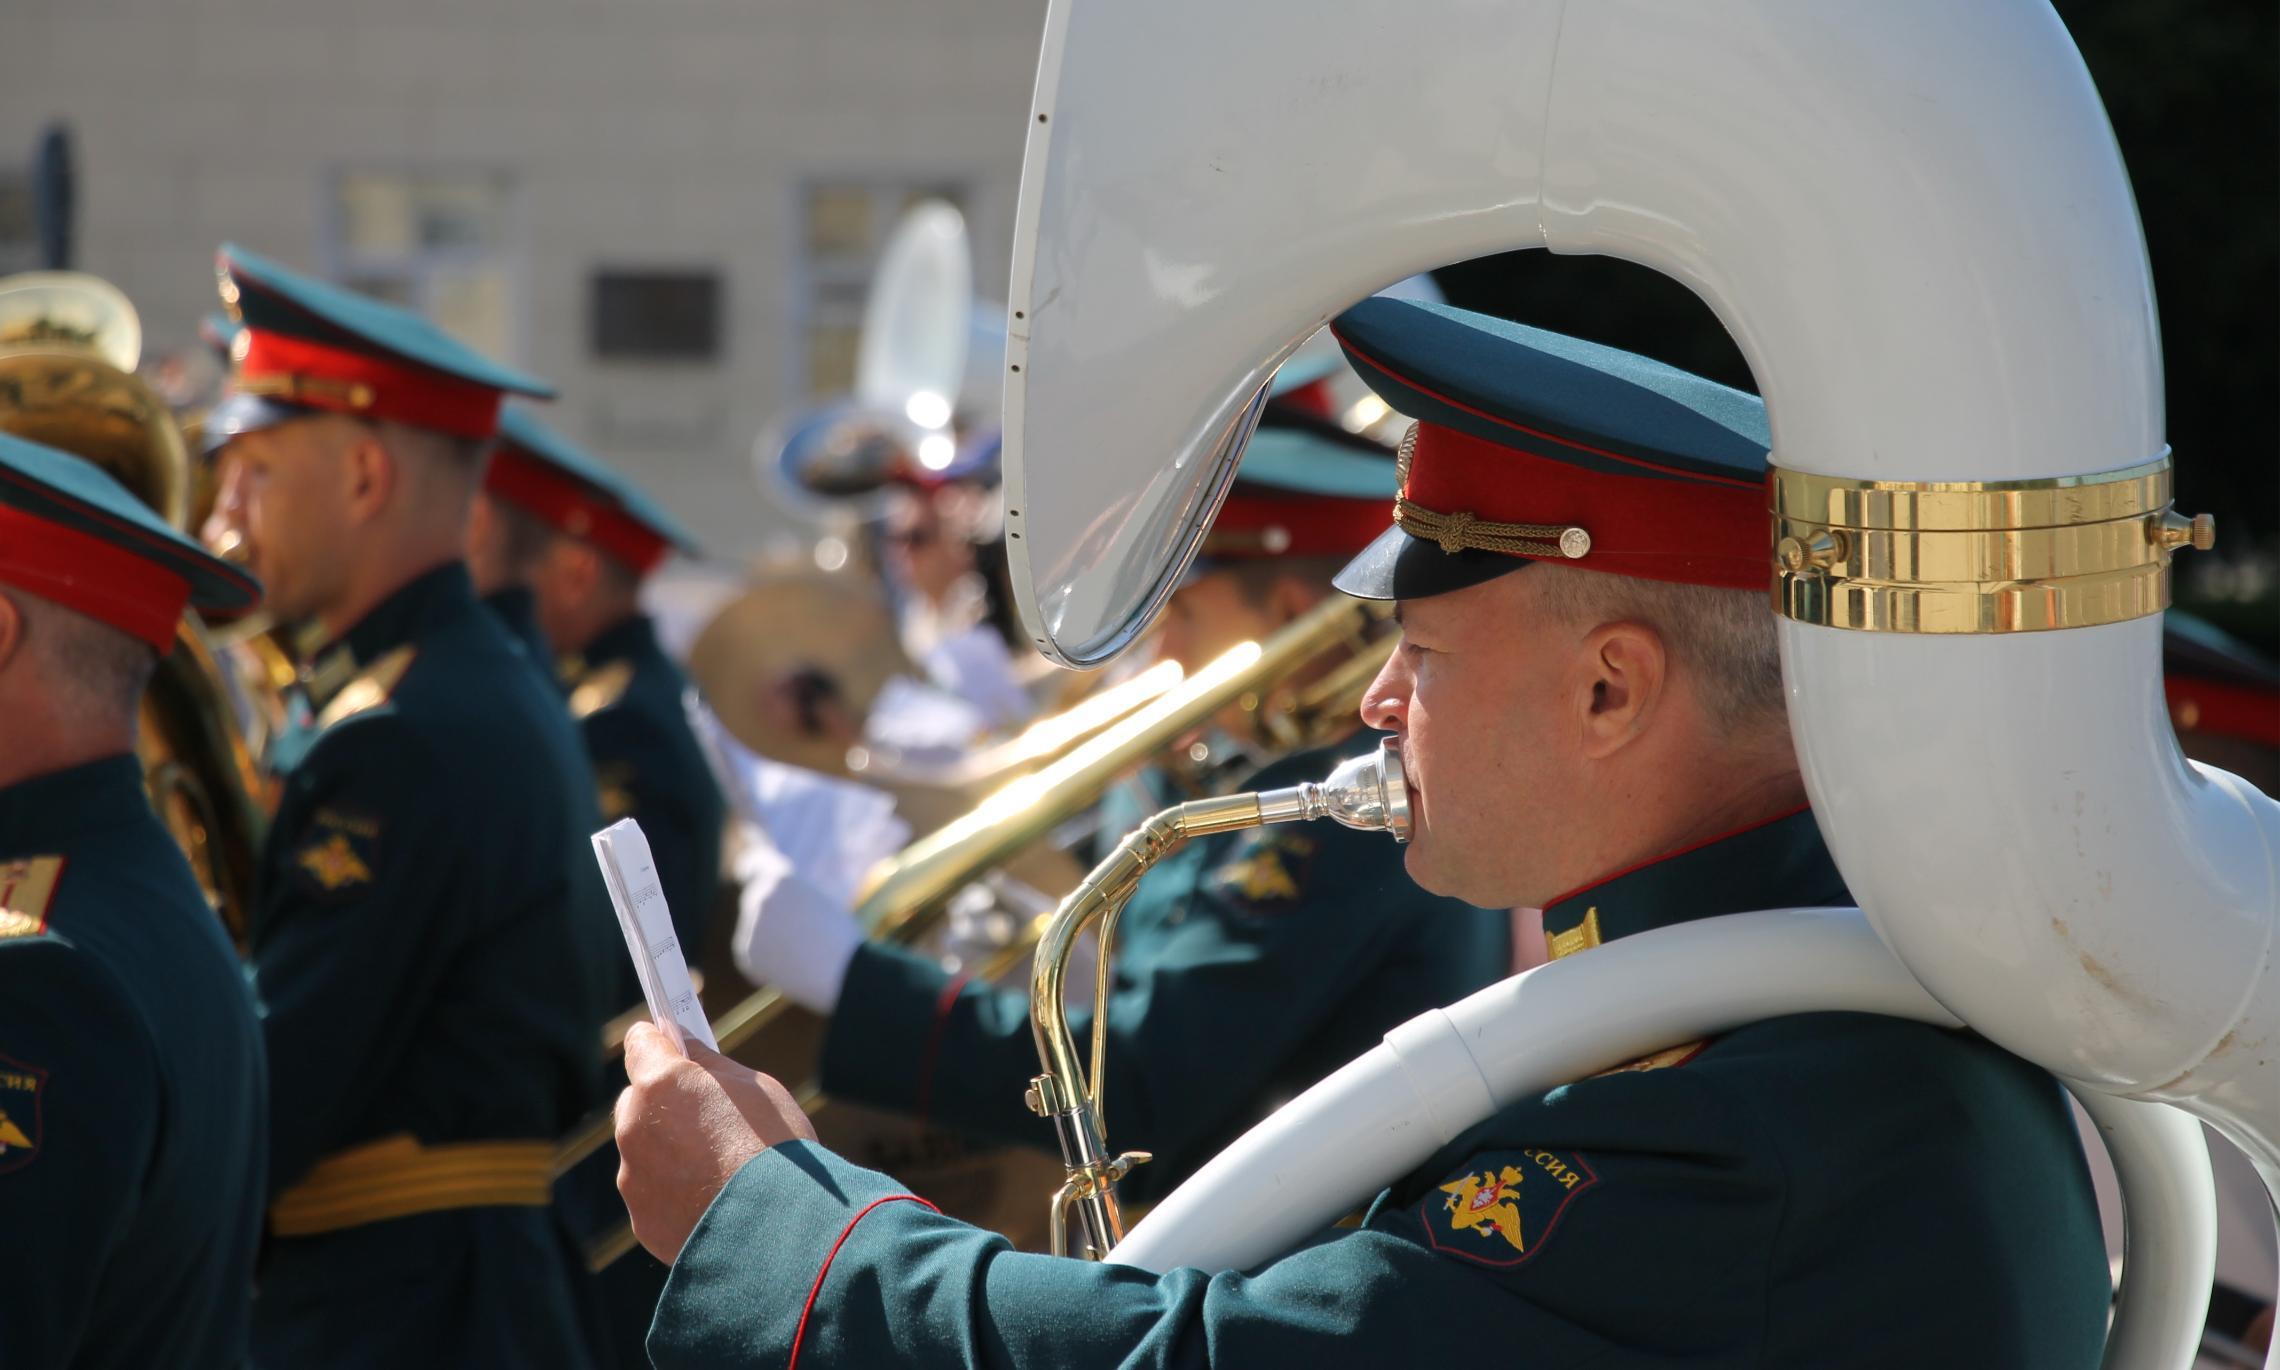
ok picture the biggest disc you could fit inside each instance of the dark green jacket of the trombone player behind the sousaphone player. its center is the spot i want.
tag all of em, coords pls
(1248, 968)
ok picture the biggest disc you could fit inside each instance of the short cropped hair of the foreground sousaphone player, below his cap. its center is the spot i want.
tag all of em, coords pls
(1723, 642)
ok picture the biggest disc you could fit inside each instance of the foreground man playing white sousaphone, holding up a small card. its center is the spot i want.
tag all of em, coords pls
(1602, 737)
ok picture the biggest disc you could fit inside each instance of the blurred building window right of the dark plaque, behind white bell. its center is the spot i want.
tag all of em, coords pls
(842, 229)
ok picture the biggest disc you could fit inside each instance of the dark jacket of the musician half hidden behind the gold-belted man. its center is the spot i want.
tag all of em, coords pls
(626, 696)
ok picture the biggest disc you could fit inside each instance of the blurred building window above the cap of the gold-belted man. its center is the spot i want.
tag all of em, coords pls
(434, 240)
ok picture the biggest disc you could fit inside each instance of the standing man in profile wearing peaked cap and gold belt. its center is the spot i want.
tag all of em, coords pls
(418, 947)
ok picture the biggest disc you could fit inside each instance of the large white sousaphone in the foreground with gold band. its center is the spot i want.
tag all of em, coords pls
(1916, 225)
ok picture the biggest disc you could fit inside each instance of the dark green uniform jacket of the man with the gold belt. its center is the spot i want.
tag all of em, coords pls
(430, 977)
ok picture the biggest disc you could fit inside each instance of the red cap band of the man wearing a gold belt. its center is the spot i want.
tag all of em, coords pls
(361, 384)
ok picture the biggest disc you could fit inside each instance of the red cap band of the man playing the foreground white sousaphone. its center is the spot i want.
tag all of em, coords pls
(1661, 530)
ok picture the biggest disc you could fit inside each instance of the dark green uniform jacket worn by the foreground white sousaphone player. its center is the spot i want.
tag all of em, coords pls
(1802, 1193)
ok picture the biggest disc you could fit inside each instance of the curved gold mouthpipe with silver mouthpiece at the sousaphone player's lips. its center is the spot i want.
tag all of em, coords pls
(1369, 794)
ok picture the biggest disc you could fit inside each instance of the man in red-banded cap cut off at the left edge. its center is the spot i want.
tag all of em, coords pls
(133, 1093)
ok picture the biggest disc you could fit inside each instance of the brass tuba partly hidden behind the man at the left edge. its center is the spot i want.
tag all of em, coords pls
(70, 345)
